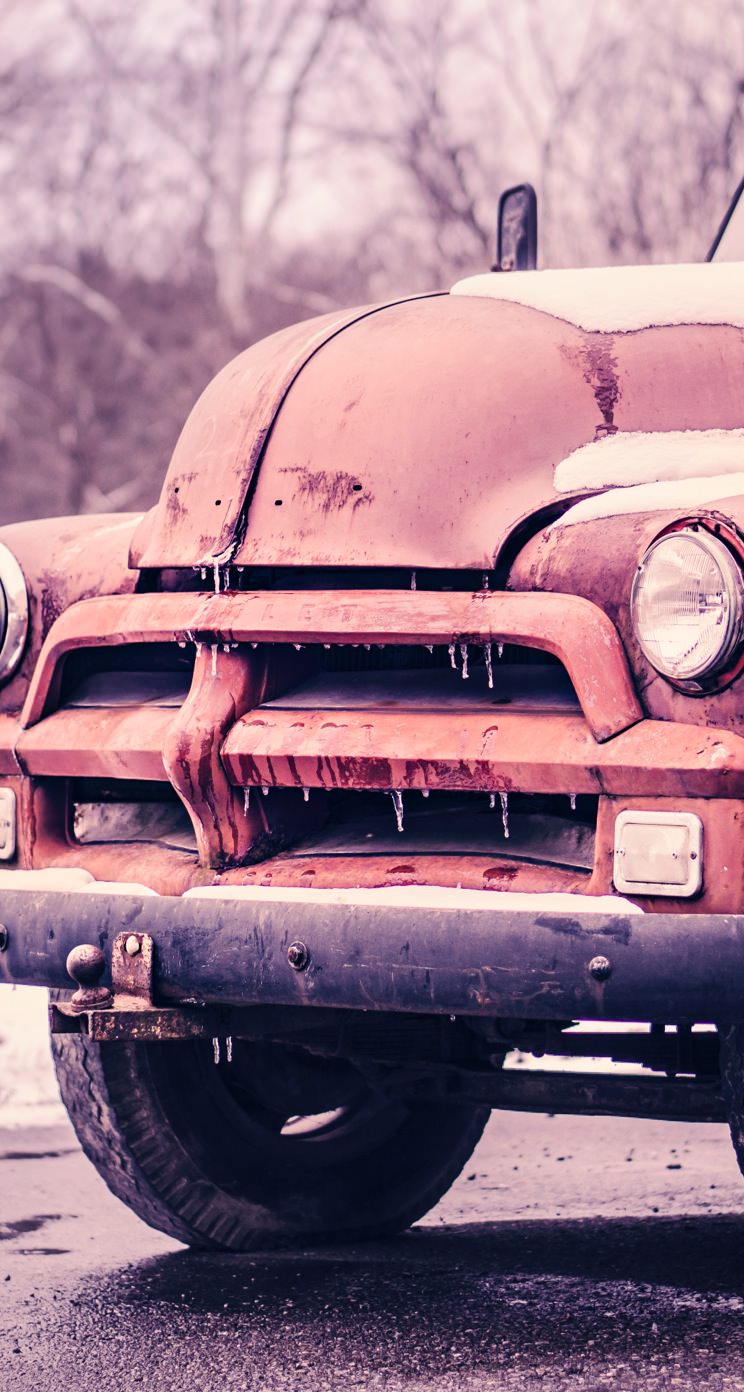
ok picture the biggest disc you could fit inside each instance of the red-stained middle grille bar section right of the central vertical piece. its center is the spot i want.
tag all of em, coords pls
(499, 751)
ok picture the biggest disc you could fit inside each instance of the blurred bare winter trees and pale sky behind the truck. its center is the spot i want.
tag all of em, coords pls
(182, 180)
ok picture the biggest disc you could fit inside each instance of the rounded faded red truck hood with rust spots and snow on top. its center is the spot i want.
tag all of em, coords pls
(426, 434)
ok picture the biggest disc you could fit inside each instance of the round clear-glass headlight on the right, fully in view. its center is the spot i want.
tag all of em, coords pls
(688, 605)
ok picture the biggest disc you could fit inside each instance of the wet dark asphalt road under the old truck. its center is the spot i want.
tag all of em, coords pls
(573, 1253)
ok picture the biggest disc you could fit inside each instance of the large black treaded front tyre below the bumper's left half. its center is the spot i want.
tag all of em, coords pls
(274, 1148)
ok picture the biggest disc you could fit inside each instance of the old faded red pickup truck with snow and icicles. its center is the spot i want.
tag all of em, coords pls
(402, 736)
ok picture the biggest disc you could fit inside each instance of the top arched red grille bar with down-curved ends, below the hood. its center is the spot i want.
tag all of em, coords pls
(573, 630)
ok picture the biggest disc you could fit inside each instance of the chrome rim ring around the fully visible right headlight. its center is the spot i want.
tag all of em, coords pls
(718, 666)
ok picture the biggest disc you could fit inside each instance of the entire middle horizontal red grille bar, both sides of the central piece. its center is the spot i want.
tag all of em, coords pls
(532, 752)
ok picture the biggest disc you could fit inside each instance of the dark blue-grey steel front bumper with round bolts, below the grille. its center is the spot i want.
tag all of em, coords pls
(381, 957)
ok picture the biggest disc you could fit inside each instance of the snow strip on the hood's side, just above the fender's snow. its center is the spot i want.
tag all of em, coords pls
(637, 457)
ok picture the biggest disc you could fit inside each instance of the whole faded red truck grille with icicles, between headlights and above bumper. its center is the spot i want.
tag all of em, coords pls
(349, 727)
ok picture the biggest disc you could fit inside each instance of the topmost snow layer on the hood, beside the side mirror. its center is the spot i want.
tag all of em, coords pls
(622, 299)
